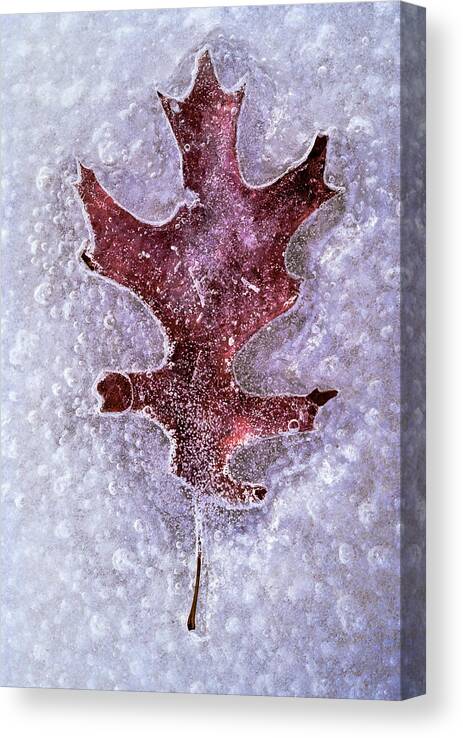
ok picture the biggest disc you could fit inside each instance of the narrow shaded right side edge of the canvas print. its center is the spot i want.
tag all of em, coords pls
(413, 350)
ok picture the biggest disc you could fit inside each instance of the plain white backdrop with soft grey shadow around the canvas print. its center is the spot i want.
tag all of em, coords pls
(87, 714)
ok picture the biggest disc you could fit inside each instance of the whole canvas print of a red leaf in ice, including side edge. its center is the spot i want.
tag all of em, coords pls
(213, 381)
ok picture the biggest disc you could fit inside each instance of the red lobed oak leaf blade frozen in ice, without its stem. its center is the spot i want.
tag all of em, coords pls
(214, 274)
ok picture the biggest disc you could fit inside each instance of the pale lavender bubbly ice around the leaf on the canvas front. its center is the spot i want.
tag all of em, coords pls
(302, 597)
